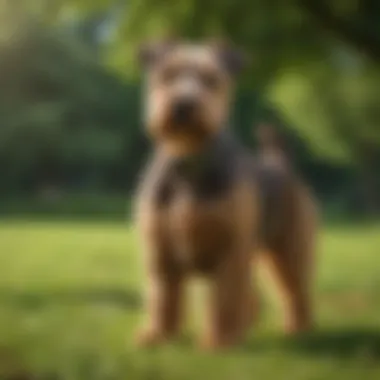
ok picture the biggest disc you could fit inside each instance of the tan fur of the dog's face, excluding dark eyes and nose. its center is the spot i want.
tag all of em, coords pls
(160, 95)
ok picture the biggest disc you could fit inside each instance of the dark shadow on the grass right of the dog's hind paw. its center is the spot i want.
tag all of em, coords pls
(345, 343)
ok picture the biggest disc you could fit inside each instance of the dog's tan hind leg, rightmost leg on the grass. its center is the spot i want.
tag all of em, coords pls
(290, 257)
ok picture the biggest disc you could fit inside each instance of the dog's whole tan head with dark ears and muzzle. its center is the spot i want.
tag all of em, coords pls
(188, 89)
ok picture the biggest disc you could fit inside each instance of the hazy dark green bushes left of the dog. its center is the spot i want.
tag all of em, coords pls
(59, 109)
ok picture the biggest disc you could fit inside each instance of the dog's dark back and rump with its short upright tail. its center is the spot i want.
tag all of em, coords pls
(284, 196)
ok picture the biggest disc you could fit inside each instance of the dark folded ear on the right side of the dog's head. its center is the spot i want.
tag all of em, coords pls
(232, 58)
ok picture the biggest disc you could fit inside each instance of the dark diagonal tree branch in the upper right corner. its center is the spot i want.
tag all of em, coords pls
(362, 40)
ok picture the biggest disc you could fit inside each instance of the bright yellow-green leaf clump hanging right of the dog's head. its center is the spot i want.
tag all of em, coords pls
(336, 111)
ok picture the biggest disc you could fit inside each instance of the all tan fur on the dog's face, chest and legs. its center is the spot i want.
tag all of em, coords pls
(216, 238)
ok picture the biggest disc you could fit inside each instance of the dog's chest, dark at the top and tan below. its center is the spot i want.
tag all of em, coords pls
(199, 216)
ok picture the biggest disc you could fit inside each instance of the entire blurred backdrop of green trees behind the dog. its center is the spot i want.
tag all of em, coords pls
(70, 89)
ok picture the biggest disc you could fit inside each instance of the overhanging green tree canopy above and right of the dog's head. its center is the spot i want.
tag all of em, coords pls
(290, 53)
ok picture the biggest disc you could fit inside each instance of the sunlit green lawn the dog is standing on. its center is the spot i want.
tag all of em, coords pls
(70, 302)
